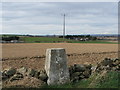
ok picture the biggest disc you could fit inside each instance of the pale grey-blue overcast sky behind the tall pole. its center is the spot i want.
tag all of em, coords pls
(46, 18)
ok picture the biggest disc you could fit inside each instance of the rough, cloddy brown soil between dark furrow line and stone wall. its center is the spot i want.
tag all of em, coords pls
(38, 63)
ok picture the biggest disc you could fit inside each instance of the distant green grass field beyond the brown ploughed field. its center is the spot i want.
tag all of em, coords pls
(57, 40)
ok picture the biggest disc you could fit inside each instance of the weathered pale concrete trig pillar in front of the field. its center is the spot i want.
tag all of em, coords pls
(56, 66)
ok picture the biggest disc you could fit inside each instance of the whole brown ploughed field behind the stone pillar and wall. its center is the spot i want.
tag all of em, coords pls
(33, 54)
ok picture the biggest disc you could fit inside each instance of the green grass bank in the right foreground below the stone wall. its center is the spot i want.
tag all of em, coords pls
(109, 80)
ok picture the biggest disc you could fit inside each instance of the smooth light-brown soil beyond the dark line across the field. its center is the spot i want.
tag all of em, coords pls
(38, 49)
